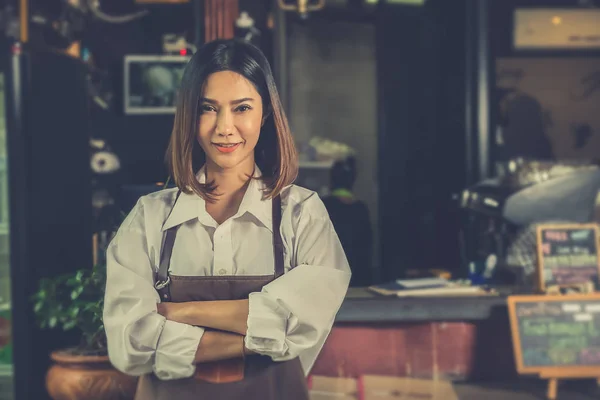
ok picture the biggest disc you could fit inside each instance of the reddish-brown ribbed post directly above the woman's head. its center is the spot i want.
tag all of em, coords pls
(219, 19)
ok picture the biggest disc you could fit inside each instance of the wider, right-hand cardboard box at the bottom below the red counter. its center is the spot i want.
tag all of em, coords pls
(376, 387)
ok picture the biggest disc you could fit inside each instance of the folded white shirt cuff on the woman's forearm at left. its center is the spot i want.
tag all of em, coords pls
(176, 350)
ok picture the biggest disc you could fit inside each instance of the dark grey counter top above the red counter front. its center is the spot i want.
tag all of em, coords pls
(362, 305)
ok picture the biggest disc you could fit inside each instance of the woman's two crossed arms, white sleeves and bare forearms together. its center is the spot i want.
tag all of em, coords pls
(283, 323)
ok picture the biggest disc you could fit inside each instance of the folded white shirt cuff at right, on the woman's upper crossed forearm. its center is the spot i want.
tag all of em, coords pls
(267, 325)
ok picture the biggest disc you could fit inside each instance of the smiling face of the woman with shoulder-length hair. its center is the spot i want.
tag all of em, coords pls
(230, 121)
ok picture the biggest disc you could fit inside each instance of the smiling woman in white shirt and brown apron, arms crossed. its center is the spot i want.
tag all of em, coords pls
(227, 287)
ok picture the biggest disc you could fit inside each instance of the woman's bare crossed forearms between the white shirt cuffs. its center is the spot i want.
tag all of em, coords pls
(226, 320)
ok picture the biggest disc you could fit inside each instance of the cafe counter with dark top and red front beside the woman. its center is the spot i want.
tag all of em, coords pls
(454, 338)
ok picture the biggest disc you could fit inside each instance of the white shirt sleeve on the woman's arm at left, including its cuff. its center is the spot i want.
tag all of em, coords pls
(140, 340)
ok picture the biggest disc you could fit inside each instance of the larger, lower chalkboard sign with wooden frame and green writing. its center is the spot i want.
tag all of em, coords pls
(556, 332)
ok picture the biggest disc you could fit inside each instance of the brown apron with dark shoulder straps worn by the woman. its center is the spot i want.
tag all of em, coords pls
(263, 378)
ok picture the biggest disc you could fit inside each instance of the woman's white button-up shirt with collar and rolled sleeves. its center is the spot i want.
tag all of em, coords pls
(291, 317)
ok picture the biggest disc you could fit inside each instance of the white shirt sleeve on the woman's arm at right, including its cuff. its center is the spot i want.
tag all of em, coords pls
(293, 315)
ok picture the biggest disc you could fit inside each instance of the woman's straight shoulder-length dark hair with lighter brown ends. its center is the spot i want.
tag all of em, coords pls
(275, 152)
